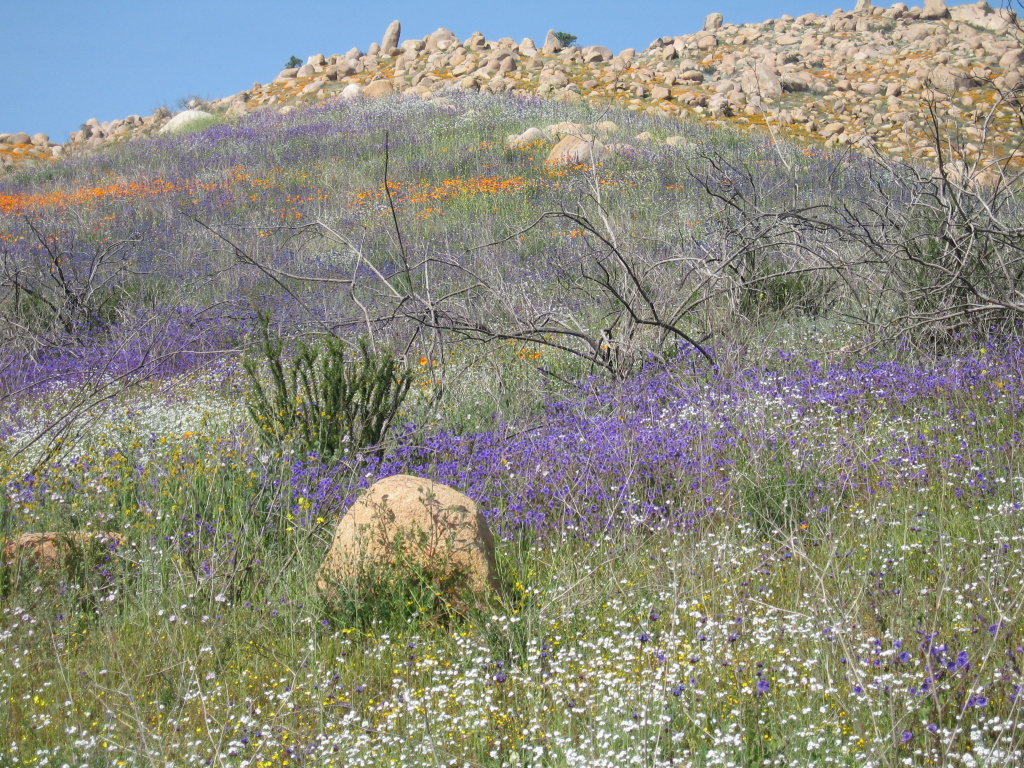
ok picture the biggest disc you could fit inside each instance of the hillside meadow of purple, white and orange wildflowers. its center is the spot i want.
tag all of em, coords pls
(783, 527)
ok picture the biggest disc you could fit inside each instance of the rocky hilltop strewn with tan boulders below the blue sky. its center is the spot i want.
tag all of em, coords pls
(872, 77)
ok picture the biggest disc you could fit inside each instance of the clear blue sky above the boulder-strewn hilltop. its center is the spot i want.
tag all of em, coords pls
(66, 62)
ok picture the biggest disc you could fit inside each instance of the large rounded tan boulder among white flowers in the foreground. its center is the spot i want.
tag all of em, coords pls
(407, 520)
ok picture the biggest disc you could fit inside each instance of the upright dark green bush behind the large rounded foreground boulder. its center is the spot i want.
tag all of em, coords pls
(321, 402)
